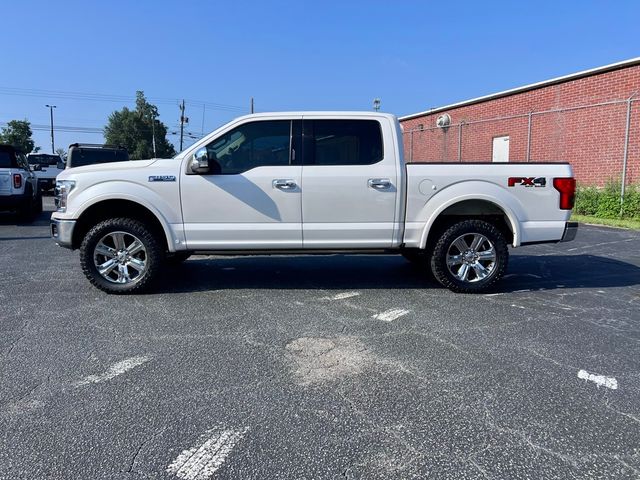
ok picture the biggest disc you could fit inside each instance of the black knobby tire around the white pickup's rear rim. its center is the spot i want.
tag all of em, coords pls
(445, 246)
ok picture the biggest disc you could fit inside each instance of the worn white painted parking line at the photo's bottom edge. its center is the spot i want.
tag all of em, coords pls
(203, 460)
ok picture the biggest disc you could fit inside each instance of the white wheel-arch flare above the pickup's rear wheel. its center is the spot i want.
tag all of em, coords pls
(459, 192)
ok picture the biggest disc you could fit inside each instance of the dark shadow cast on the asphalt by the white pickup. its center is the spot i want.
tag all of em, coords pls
(340, 272)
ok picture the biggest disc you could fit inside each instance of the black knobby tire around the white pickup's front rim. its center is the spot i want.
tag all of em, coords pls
(154, 255)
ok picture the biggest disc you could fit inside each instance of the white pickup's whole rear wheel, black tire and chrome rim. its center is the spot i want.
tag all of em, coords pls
(470, 257)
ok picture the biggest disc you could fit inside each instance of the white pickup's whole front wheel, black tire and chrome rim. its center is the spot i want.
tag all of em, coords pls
(121, 255)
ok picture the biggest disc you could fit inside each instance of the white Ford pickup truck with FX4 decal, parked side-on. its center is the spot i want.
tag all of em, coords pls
(308, 182)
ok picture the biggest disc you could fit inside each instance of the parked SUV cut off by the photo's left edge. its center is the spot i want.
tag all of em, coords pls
(19, 190)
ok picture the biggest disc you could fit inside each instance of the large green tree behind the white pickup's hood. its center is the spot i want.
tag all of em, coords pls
(136, 130)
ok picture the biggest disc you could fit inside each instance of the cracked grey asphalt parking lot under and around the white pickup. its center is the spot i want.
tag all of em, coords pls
(352, 367)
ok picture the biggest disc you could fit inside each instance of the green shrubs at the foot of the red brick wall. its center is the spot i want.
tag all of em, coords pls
(605, 202)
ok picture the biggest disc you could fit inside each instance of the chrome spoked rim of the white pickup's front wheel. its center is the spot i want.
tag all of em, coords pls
(120, 257)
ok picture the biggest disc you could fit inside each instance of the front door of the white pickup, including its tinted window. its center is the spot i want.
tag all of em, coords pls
(253, 200)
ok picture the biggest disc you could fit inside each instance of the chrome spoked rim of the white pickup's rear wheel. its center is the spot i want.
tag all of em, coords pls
(471, 257)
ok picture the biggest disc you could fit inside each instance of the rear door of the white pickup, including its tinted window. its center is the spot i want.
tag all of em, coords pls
(349, 183)
